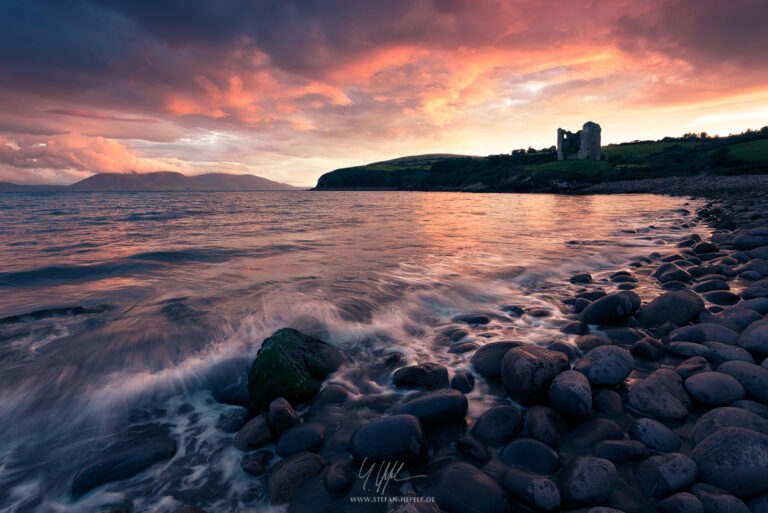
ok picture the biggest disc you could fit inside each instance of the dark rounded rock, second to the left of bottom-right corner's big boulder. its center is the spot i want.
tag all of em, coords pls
(587, 481)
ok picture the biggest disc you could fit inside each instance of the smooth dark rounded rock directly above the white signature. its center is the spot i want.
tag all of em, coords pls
(393, 438)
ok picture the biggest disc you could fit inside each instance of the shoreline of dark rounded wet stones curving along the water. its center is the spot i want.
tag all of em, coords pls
(657, 405)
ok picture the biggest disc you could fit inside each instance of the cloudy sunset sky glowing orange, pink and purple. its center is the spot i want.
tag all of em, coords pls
(291, 89)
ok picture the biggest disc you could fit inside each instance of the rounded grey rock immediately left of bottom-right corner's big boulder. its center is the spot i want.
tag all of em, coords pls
(665, 473)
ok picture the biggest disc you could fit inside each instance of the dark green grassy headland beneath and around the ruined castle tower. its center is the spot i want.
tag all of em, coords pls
(539, 170)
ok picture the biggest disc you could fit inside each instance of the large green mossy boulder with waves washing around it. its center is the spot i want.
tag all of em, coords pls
(292, 365)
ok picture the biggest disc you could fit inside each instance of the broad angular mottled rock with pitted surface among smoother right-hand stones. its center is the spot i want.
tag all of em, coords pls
(661, 394)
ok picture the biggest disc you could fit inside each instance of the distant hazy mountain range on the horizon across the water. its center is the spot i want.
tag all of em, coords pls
(159, 181)
